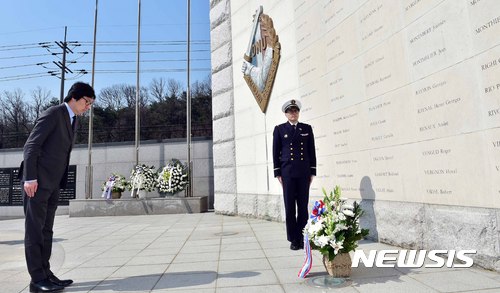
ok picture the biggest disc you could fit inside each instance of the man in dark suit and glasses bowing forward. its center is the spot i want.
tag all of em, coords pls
(44, 171)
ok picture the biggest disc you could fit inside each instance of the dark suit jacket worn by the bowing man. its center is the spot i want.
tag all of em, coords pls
(47, 150)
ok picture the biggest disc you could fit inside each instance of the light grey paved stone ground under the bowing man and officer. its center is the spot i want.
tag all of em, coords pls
(204, 253)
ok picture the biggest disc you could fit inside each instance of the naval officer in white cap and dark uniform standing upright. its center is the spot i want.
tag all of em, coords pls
(294, 158)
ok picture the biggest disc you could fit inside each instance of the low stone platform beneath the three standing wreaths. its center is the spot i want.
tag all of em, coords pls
(132, 206)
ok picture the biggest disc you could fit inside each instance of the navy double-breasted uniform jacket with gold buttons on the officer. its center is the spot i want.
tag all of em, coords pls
(294, 153)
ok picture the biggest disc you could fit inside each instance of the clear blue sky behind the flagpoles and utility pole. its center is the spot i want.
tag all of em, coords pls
(29, 30)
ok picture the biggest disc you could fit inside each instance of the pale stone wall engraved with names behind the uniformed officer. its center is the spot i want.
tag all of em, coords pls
(404, 100)
